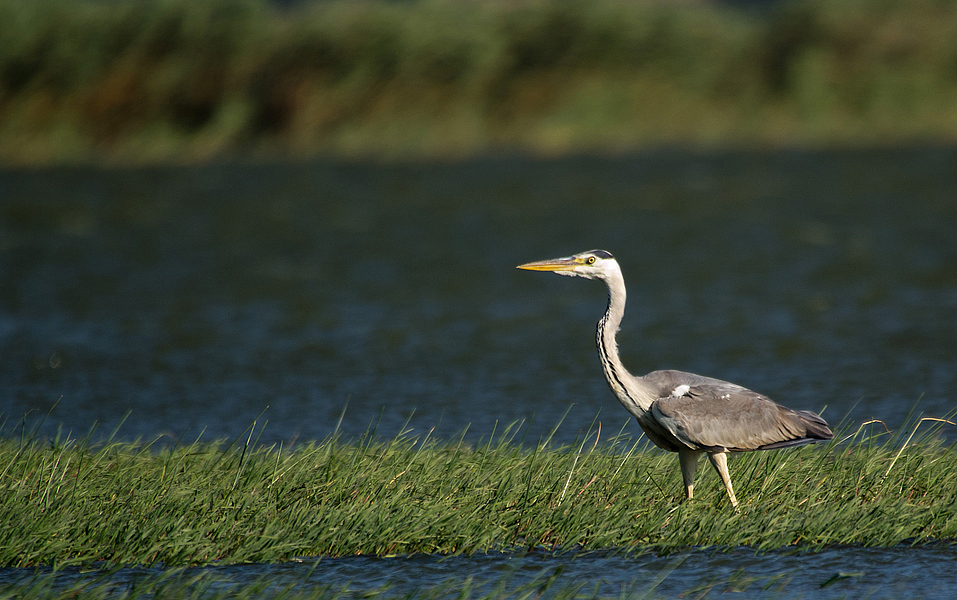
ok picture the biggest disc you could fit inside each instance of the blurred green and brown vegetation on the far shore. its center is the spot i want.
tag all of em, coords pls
(186, 80)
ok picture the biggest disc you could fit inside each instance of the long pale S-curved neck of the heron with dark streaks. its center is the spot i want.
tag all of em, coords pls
(633, 394)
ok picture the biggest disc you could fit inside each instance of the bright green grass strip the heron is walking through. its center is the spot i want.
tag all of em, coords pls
(69, 502)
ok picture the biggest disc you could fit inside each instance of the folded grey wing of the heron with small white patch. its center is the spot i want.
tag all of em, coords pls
(714, 415)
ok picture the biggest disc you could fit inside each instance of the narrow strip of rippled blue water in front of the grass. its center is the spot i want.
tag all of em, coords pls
(904, 572)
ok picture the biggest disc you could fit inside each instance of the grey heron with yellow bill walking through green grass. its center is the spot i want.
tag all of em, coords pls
(683, 412)
